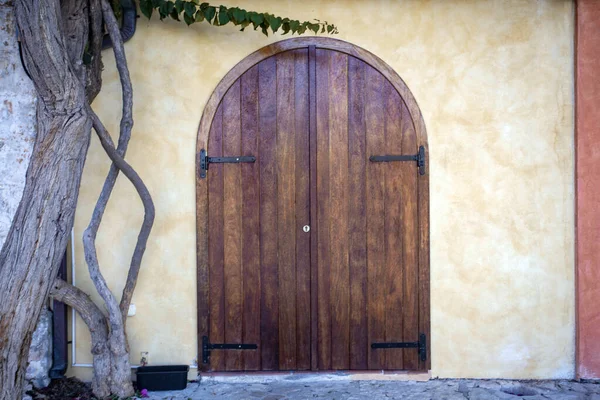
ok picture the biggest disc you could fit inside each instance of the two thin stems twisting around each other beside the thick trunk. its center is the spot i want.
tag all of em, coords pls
(117, 313)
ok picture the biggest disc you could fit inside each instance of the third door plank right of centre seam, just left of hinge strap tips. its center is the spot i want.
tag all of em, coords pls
(357, 228)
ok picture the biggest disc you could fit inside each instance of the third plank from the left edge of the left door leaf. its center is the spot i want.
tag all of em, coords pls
(250, 218)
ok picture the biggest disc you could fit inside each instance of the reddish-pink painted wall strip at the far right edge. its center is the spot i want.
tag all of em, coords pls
(588, 187)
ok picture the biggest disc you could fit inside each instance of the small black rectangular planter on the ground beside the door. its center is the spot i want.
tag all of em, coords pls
(162, 377)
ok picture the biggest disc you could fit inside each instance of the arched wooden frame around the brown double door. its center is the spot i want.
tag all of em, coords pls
(202, 188)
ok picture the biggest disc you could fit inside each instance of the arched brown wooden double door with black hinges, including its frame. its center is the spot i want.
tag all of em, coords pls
(313, 215)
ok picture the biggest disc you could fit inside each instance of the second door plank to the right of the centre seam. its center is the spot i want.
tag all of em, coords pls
(338, 232)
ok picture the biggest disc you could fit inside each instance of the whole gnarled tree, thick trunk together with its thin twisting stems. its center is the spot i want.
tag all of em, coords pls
(54, 36)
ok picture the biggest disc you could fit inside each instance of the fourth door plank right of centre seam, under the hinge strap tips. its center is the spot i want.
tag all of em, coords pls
(375, 142)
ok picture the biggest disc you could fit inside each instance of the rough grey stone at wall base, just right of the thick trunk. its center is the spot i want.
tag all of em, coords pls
(40, 352)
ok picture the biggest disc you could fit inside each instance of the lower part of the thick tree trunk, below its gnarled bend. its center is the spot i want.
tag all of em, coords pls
(36, 241)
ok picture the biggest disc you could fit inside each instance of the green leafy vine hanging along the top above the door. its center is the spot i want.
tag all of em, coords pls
(194, 11)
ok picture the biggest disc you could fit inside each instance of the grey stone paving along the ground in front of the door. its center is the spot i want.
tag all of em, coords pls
(294, 388)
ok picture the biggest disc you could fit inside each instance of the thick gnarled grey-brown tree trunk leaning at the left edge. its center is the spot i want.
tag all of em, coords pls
(32, 252)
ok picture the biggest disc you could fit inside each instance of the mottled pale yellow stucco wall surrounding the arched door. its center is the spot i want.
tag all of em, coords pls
(494, 80)
